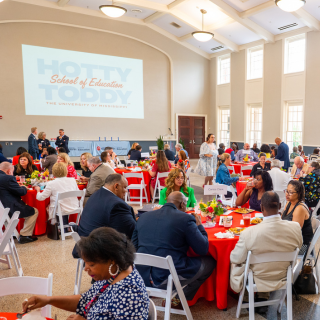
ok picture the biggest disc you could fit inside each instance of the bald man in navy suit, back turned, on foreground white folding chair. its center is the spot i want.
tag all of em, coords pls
(171, 231)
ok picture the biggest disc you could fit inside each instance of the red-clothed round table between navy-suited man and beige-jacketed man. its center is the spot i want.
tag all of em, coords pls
(217, 285)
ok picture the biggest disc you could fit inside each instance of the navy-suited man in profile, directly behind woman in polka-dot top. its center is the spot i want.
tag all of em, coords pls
(107, 208)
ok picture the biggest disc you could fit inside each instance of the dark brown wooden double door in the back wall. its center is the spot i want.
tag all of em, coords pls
(192, 133)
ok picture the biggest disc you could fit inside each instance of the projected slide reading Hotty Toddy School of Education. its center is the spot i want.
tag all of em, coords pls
(69, 83)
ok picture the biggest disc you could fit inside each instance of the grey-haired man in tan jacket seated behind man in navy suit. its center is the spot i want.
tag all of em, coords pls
(99, 174)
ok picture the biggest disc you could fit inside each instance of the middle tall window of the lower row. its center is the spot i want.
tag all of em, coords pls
(254, 124)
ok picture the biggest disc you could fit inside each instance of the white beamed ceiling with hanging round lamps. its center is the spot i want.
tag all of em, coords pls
(229, 20)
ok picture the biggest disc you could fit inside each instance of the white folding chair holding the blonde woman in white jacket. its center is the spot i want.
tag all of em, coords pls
(57, 210)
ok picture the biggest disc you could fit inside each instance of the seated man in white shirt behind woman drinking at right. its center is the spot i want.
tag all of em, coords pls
(280, 180)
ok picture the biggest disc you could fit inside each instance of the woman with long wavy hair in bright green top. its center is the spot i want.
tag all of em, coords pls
(176, 181)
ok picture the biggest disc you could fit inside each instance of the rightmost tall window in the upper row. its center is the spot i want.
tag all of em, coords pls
(295, 50)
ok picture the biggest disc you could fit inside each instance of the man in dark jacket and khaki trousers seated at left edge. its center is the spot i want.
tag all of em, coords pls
(10, 196)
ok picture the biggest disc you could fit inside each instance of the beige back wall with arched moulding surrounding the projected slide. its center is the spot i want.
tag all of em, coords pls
(176, 79)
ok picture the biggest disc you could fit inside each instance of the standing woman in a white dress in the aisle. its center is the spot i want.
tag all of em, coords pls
(207, 163)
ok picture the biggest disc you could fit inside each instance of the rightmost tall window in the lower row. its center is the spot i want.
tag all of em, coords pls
(294, 124)
